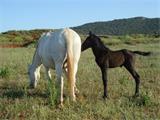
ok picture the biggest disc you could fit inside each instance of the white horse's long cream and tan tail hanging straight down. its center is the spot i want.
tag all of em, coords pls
(70, 62)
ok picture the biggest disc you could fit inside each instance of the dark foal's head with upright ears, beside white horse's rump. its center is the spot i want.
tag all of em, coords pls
(91, 41)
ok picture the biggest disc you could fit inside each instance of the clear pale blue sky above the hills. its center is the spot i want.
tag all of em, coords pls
(54, 14)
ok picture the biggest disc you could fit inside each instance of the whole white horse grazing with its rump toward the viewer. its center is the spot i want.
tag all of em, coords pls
(53, 50)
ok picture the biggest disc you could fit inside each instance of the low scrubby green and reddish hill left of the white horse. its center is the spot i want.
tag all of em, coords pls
(20, 38)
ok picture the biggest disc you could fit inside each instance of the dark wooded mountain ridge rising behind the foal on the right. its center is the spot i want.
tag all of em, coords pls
(136, 25)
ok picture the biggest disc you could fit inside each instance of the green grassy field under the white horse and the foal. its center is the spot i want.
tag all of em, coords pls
(19, 102)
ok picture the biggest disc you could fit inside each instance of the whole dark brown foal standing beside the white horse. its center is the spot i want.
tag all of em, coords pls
(106, 58)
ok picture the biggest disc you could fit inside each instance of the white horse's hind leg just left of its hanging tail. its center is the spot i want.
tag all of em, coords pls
(59, 82)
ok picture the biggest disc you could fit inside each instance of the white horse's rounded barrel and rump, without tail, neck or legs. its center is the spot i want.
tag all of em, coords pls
(52, 42)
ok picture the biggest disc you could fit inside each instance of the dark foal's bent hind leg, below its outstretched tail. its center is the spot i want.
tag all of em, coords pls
(135, 75)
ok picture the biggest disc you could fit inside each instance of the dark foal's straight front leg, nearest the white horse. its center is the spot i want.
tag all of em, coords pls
(104, 78)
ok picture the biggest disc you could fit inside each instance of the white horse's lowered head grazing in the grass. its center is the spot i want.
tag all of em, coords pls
(32, 77)
